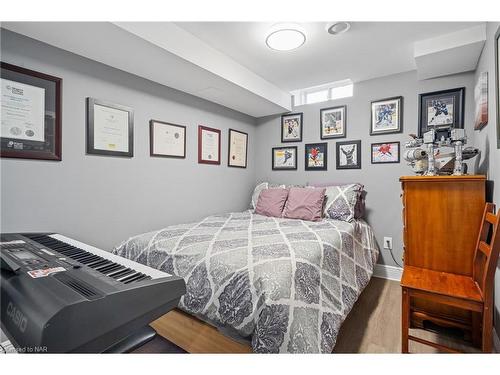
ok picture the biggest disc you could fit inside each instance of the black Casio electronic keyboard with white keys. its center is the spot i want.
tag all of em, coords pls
(60, 295)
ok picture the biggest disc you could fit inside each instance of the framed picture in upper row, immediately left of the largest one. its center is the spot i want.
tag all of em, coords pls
(387, 116)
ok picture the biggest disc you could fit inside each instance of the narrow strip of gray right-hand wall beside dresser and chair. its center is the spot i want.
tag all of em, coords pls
(486, 139)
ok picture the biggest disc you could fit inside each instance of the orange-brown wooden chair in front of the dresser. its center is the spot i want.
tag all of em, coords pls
(470, 293)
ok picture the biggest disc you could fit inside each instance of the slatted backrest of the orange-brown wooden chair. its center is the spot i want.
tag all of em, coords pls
(486, 254)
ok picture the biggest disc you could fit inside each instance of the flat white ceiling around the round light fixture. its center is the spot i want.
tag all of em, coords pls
(368, 50)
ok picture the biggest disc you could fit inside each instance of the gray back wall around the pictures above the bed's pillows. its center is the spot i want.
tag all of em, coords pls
(381, 180)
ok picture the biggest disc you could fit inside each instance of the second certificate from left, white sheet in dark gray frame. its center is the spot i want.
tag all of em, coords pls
(110, 129)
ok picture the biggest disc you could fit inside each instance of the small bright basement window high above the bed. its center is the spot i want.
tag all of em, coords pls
(323, 93)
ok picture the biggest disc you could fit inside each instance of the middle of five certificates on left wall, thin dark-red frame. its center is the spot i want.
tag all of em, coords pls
(167, 140)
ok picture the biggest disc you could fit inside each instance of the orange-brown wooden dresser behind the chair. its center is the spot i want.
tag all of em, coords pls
(441, 220)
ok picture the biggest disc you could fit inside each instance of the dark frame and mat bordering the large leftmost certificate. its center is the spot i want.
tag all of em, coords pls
(50, 148)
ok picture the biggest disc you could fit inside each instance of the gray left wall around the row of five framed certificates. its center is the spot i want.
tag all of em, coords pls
(103, 200)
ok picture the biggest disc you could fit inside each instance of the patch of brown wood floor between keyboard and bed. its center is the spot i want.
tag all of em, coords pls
(195, 336)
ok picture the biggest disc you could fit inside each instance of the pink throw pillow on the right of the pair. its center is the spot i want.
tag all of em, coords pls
(304, 204)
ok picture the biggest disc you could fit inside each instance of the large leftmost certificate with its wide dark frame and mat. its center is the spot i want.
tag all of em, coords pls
(31, 114)
